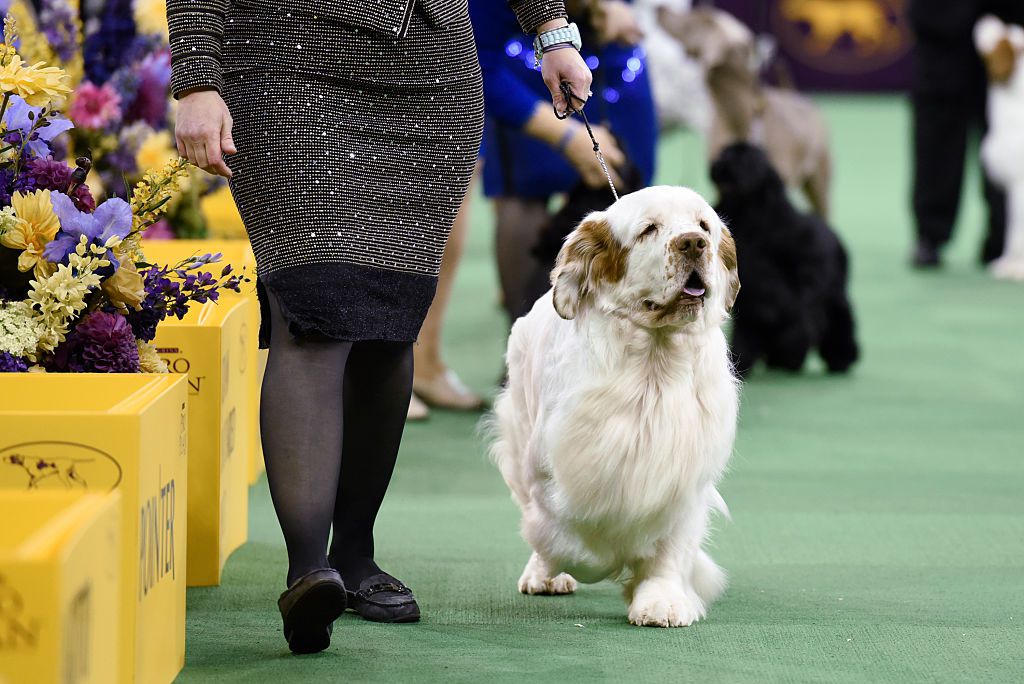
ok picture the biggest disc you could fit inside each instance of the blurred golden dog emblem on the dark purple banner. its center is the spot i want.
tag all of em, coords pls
(844, 36)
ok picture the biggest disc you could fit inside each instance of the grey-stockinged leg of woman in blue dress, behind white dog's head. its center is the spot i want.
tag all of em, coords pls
(520, 224)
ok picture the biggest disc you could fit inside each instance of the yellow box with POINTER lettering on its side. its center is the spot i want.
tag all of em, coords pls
(95, 434)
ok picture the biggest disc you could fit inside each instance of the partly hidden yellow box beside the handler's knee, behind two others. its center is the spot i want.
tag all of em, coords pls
(239, 253)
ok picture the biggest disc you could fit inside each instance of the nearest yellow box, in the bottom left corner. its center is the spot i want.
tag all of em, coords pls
(60, 573)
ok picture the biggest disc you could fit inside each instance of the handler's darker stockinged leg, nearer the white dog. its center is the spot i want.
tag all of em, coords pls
(378, 386)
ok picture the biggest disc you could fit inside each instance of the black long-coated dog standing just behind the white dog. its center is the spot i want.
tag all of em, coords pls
(793, 267)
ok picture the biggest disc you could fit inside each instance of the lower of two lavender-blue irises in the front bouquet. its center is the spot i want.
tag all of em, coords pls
(111, 219)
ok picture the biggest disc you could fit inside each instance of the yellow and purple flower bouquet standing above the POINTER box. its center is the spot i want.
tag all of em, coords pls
(76, 292)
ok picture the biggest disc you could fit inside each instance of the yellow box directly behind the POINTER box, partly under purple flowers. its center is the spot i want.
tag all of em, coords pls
(209, 347)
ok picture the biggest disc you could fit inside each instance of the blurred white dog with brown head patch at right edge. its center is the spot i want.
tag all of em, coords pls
(1002, 47)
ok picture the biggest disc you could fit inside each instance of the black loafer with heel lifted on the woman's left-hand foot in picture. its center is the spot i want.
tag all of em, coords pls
(310, 608)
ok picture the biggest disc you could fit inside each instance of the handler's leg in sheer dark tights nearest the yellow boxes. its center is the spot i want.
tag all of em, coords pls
(302, 415)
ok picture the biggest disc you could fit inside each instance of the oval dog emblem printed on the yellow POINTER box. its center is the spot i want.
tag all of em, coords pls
(58, 465)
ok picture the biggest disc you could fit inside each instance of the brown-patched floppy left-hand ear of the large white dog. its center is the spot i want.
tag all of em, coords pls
(591, 255)
